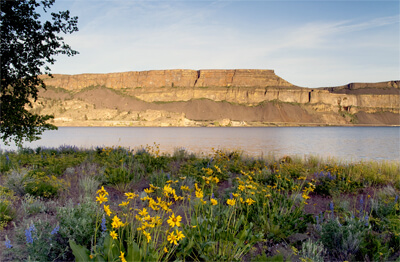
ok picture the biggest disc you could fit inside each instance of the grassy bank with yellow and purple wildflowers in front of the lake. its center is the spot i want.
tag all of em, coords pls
(115, 204)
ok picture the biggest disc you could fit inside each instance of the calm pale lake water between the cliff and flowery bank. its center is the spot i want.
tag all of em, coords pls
(342, 143)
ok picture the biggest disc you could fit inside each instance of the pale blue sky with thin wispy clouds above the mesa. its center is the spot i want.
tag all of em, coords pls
(308, 43)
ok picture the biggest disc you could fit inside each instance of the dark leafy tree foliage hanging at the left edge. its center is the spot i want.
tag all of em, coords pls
(28, 47)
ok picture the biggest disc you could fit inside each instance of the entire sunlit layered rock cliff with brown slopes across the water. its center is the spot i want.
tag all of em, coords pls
(207, 97)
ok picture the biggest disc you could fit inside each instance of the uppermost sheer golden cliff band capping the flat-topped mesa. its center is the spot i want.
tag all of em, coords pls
(171, 78)
